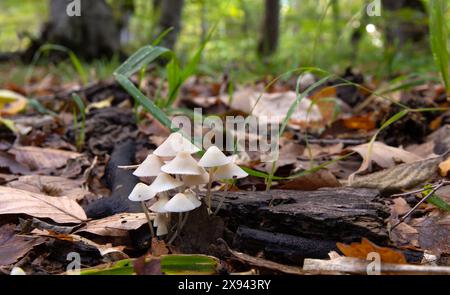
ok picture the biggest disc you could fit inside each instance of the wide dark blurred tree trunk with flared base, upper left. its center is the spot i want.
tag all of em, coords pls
(90, 35)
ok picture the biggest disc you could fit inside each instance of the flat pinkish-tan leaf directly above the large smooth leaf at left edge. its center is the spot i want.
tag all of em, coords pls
(51, 185)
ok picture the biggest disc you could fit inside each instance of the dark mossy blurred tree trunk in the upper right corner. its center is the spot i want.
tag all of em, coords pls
(405, 21)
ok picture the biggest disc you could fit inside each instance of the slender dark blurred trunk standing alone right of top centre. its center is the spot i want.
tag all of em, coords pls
(270, 28)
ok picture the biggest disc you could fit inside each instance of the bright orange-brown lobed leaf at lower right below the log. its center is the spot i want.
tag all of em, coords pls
(361, 250)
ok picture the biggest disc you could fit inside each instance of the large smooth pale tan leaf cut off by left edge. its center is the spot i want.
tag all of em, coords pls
(59, 209)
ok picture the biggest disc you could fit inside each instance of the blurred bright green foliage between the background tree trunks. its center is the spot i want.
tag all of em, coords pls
(233, 46)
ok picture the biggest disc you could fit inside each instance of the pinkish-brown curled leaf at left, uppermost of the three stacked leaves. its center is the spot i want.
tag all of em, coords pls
(42, 158)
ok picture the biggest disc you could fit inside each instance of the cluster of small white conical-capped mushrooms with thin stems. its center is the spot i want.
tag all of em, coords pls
(174, 168)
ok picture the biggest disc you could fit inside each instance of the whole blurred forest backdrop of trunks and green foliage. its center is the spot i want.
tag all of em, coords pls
(252, 36)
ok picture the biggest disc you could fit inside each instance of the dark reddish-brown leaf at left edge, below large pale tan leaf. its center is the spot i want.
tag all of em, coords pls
(13, 247)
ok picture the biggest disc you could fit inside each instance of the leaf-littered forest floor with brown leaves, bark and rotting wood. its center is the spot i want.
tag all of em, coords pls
(335, 197)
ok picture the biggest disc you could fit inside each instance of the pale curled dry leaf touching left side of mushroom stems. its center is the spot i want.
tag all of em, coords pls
(116, 225)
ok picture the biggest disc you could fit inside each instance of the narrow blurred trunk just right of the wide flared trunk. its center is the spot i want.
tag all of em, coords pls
(171, 11)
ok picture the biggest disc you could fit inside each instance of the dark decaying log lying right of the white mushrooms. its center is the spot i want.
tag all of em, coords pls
(336, 214)
